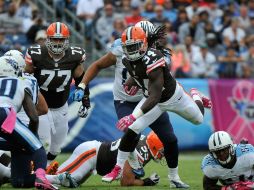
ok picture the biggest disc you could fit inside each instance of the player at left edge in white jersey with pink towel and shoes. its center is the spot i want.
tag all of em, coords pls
(19, 138)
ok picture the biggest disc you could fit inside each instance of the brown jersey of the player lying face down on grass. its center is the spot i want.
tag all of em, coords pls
(107, 155)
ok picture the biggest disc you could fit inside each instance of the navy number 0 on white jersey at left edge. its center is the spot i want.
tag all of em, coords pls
(8, 87)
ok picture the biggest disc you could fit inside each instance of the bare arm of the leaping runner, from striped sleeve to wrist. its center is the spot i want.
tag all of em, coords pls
(156, 81)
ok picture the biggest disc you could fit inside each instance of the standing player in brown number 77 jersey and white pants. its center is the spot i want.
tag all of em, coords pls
(54, 65)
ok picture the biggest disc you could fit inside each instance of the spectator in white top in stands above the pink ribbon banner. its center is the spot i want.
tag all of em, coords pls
(234, 32)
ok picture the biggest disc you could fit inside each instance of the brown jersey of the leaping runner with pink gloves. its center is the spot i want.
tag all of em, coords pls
(141, 69)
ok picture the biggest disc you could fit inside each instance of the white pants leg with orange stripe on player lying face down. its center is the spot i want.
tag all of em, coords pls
(79, 165)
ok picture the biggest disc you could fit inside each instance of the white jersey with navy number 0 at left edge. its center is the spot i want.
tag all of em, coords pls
(12, 92)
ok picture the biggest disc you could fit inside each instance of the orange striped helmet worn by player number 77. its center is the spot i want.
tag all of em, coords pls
(57, 37)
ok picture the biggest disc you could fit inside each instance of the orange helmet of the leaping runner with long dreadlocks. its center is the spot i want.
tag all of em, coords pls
(134, 43)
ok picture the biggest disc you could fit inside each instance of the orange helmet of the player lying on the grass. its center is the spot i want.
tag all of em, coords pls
(155, 146)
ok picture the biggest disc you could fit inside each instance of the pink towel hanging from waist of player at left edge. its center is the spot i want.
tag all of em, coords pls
(10, 121)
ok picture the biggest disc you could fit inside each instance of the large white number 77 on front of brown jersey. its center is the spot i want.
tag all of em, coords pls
(51, 74)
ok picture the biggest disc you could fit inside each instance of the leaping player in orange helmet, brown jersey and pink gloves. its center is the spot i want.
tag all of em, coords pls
(162, 93)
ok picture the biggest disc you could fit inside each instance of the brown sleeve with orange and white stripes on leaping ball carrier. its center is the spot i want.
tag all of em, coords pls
(154, 59)
